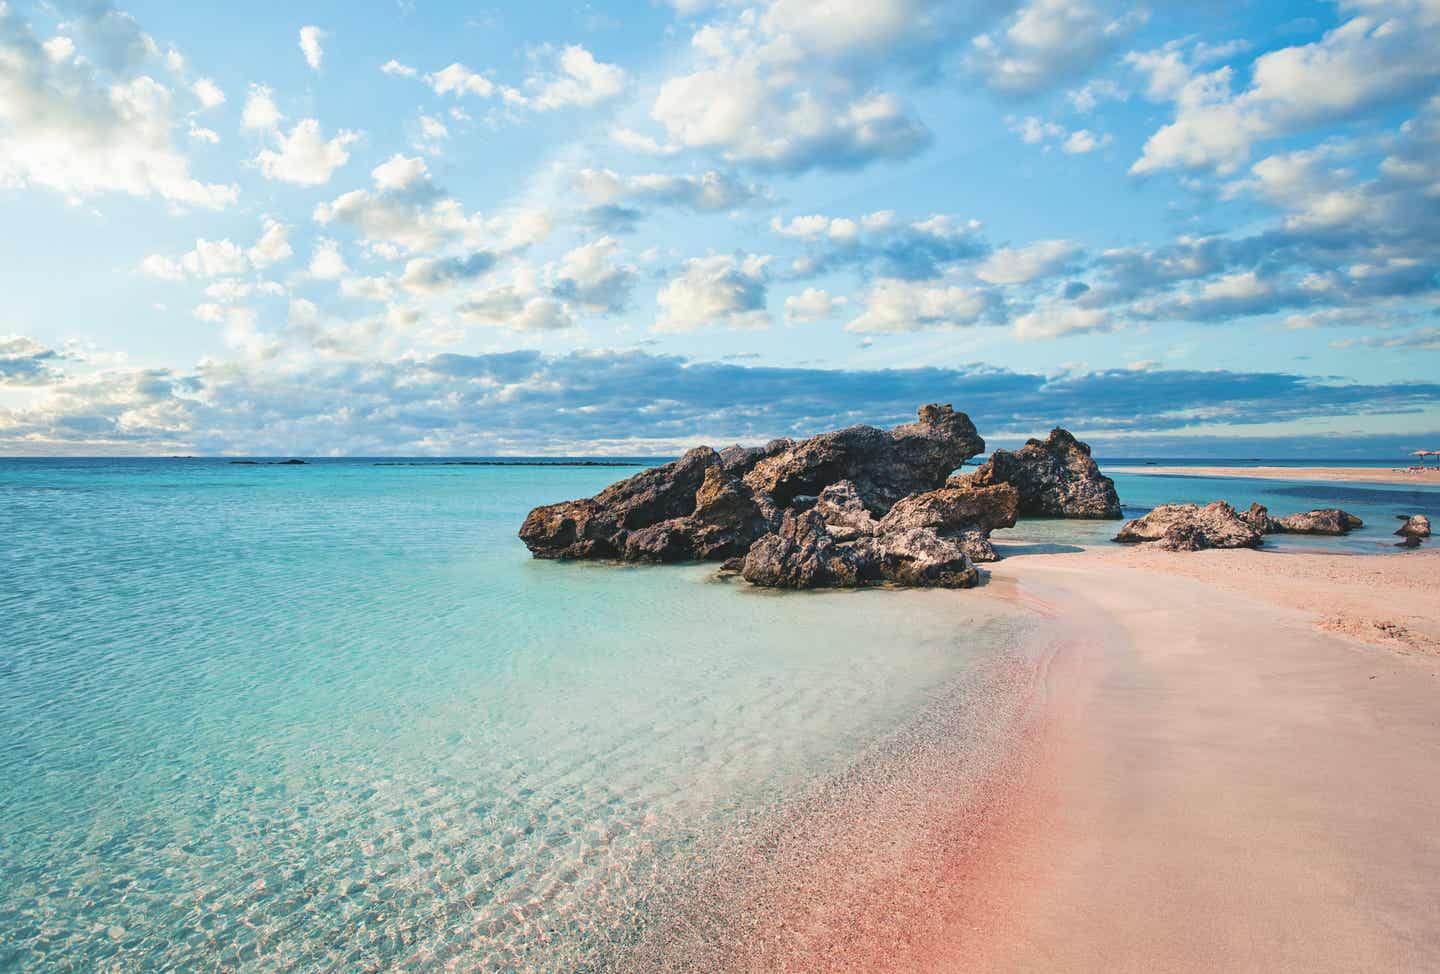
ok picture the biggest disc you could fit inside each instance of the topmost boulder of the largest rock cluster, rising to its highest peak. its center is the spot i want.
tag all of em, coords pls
(885, 466)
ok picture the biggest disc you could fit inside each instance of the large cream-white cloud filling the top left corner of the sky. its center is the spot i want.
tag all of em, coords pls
(90, 126)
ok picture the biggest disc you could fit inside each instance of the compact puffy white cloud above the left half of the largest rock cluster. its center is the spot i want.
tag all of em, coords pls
(715, 290)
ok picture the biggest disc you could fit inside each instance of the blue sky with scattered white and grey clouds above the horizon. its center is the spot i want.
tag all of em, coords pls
(424, 228)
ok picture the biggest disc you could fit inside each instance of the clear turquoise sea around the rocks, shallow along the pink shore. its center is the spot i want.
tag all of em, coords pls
(335, 718)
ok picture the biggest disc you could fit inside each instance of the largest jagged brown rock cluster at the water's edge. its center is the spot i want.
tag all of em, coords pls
(849, 508)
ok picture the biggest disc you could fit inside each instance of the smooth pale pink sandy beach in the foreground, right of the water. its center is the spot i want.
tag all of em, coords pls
(1241, 776)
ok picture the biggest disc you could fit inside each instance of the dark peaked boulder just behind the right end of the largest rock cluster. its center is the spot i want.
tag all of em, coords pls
(1056, 478)
